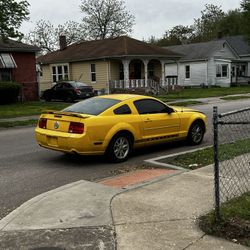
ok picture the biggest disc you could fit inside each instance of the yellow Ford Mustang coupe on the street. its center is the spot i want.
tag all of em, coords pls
(115, 124)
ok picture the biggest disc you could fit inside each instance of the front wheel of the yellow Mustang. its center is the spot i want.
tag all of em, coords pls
(196, 133)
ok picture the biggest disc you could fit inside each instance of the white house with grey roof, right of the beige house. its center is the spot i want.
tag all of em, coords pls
(222, 63)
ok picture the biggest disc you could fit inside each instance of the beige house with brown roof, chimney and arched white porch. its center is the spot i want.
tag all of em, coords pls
(115, 63)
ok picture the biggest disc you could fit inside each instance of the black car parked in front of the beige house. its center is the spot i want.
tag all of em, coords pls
(68, 91)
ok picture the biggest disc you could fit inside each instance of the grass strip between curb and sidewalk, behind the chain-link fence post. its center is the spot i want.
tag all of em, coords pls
(204, 157)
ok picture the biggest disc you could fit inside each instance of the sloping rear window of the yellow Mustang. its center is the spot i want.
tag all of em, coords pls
(92, 106)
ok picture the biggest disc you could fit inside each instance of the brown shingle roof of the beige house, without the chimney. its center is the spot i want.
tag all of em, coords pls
(108, 48)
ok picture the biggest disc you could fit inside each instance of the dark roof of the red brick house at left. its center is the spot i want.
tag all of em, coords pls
(15, 46)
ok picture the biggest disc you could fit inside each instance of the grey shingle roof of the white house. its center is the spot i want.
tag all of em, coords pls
(201, 51)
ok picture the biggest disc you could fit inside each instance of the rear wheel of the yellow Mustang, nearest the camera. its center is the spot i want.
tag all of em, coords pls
(119, 148)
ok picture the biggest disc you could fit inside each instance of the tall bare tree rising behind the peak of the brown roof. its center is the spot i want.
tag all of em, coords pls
(106, 18)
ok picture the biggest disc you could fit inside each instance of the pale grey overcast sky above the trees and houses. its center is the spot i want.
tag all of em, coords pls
(152, 17)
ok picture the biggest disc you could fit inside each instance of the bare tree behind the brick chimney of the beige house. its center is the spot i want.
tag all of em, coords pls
(46, 36)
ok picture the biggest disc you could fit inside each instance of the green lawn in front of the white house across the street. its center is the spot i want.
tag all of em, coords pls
(203, 93)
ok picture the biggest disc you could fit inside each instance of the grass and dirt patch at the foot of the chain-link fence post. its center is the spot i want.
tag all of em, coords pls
(234, 222)
